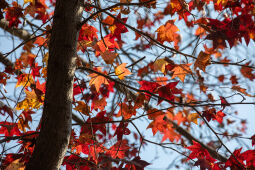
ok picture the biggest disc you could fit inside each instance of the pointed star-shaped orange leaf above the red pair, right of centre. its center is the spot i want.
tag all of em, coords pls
(181, 71)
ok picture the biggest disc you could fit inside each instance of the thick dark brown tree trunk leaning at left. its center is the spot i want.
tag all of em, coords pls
(53, 140)
